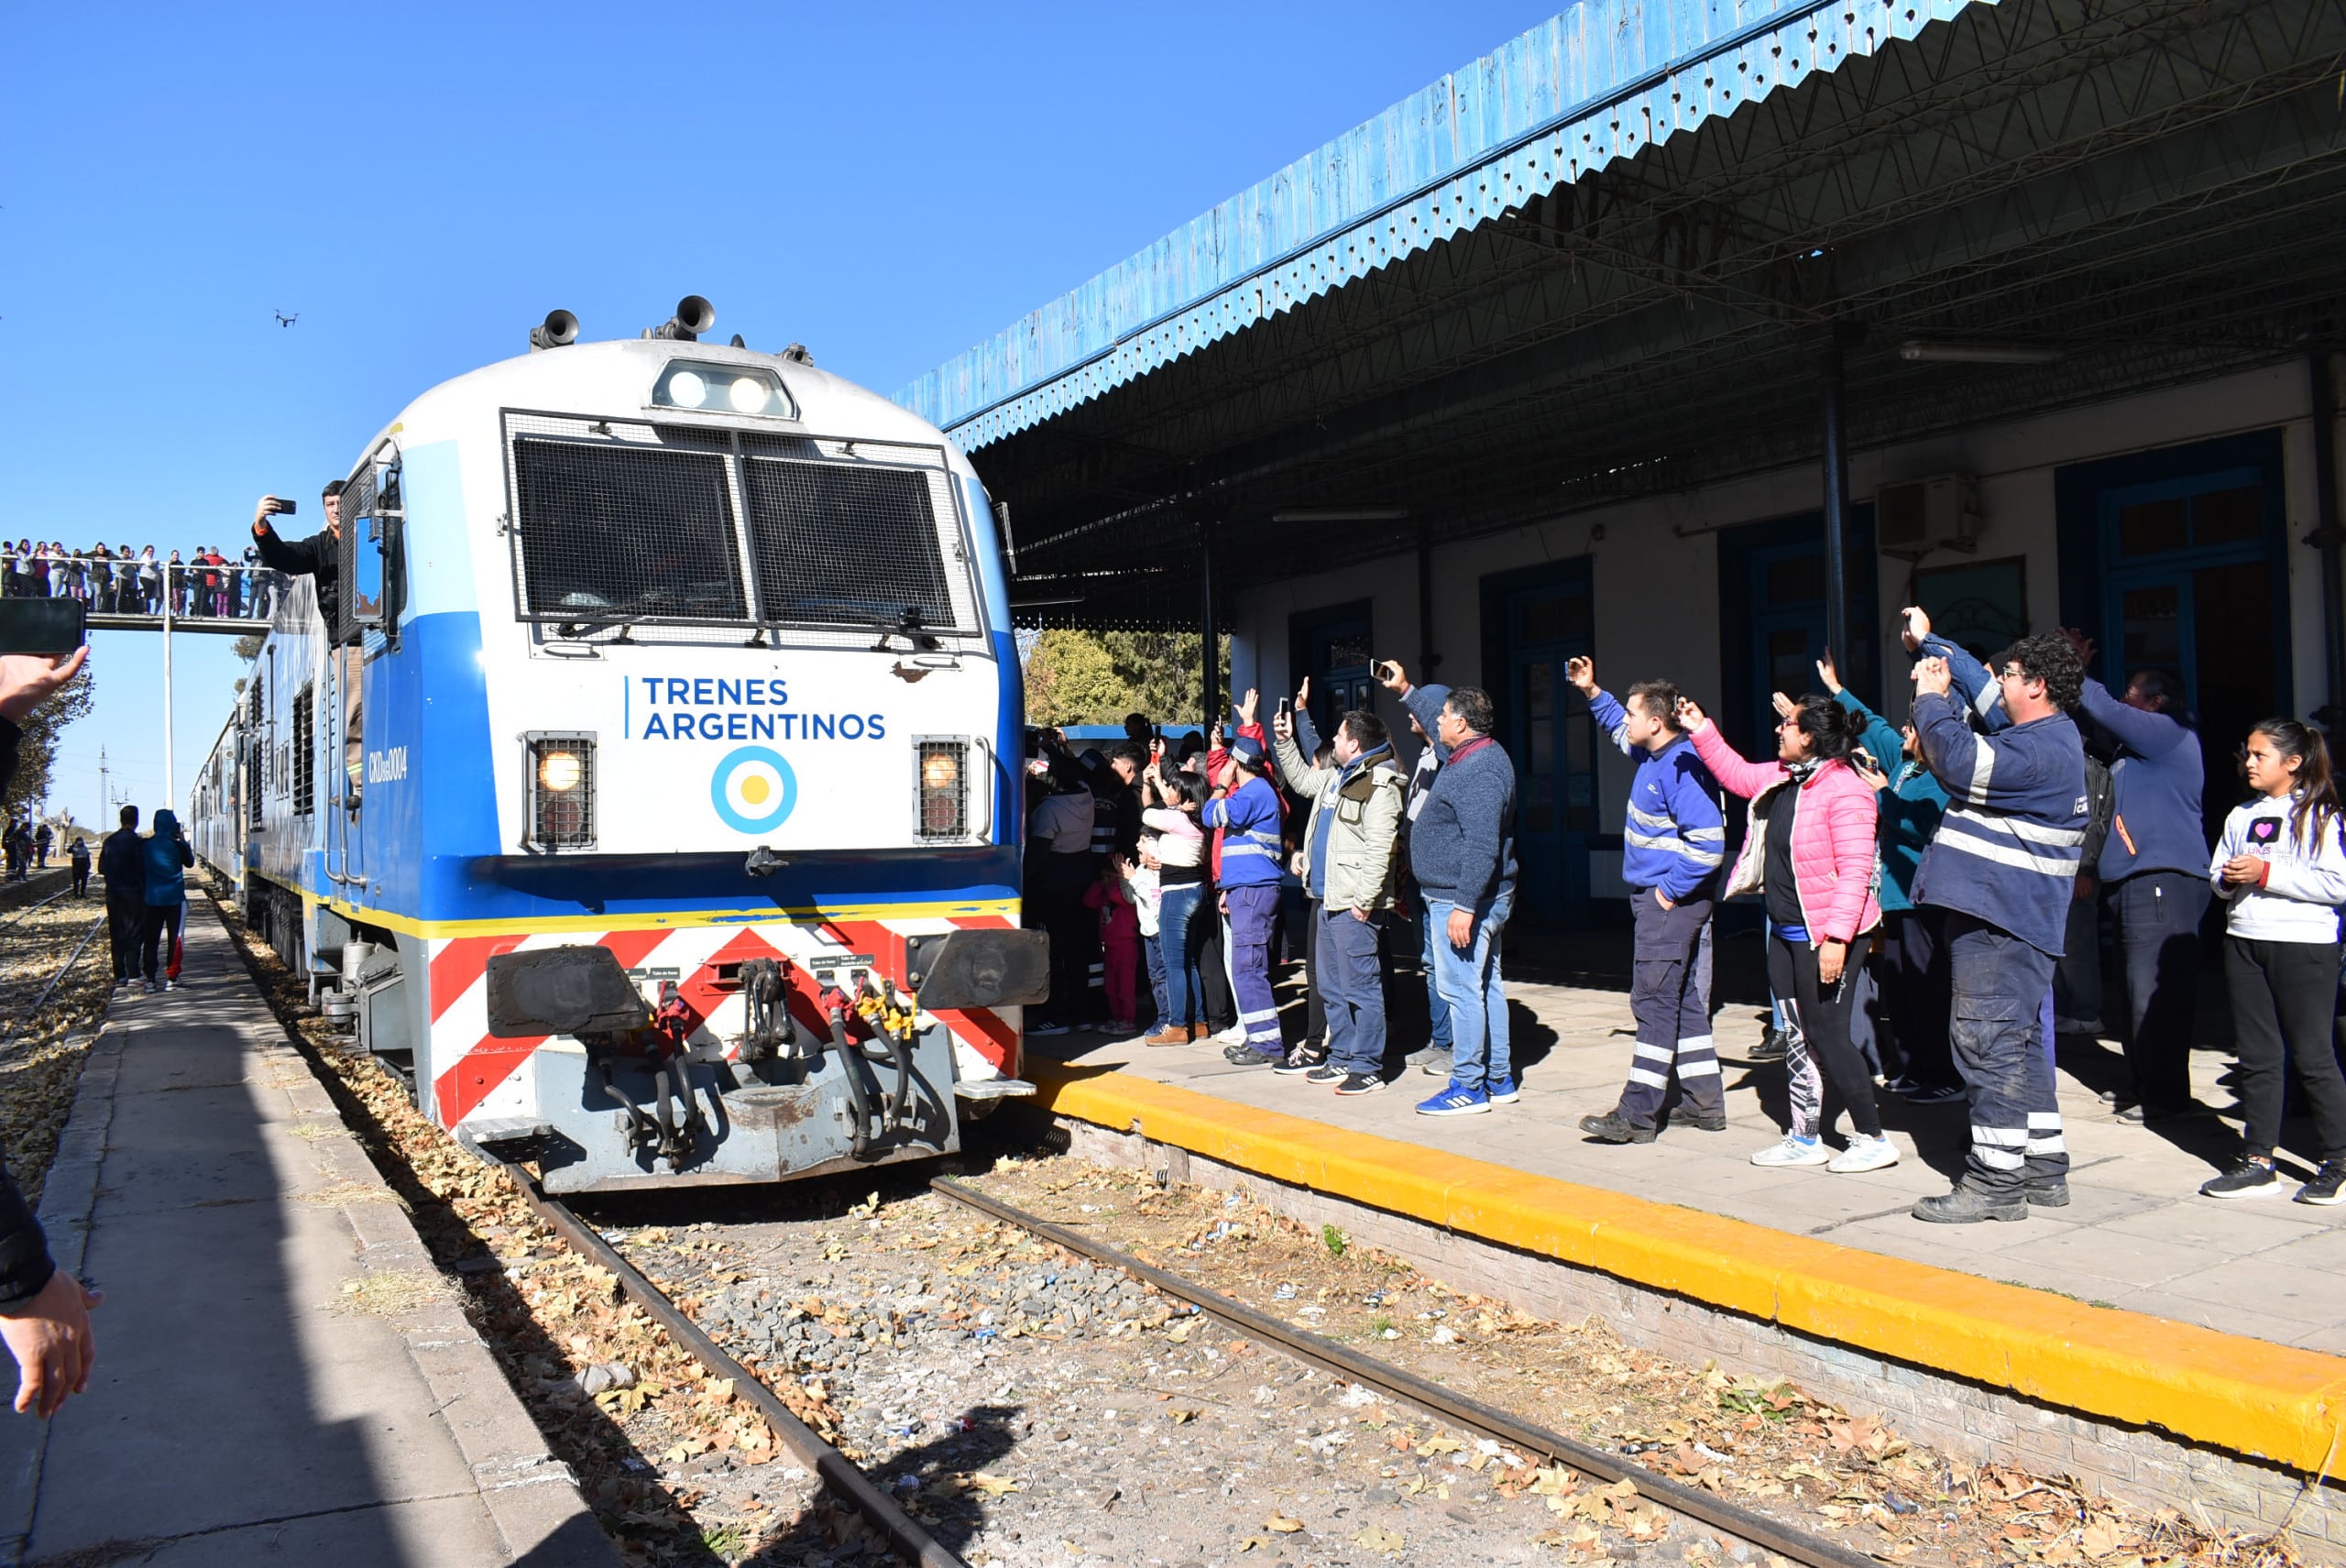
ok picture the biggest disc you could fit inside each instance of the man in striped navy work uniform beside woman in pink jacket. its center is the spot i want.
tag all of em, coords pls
(2005, 867)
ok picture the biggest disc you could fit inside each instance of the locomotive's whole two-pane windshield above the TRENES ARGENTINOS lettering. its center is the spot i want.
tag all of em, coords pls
(621, 522)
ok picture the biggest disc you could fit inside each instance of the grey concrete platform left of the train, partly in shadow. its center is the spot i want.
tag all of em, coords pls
(283, 1372)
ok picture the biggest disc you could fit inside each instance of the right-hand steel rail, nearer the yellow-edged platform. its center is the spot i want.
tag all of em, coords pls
(1472, 1414)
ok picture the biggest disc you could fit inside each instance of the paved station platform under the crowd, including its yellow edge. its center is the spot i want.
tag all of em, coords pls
(2209, 1320)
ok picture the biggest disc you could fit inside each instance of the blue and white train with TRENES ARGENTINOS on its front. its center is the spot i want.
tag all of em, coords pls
(646, 785)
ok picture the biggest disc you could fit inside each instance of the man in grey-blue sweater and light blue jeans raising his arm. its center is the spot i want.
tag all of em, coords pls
(1463, 853)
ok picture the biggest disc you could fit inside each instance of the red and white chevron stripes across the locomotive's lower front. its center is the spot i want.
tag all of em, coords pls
(482, 1072)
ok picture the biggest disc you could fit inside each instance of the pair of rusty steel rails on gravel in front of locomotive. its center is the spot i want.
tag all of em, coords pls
(879, 1501)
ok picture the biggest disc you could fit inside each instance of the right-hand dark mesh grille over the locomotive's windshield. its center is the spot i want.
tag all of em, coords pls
(846, 543)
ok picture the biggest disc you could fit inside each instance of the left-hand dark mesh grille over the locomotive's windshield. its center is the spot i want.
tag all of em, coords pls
(625, 534)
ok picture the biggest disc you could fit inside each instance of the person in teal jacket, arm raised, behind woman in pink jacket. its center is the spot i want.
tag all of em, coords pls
(1913, 961)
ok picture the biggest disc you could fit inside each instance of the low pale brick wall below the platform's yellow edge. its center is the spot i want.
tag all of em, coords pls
(1948, 1414)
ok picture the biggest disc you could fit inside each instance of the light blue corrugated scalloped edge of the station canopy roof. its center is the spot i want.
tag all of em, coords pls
(1587, 88)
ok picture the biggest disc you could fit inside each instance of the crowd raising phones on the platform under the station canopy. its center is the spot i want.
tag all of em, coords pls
(1930, 893)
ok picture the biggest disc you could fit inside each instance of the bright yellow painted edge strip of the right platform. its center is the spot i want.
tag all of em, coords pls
(2216, 1388)
